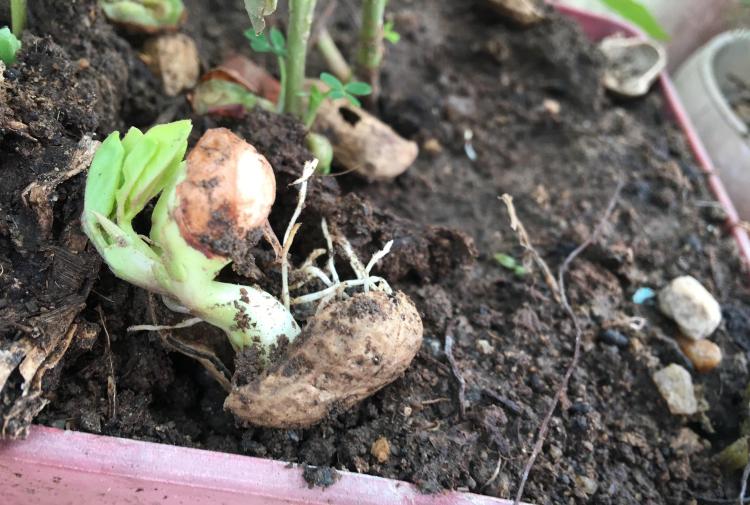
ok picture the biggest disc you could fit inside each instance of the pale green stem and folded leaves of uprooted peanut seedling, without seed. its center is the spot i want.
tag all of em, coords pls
(125, 175)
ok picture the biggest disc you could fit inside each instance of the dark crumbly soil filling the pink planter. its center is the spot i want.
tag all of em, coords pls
(457, 68)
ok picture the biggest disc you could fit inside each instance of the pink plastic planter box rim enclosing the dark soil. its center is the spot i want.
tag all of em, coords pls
(59, 467)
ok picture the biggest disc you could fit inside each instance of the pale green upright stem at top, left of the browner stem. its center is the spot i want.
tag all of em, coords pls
(300, 21)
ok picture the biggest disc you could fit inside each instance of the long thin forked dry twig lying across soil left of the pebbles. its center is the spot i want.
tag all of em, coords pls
(544, 427)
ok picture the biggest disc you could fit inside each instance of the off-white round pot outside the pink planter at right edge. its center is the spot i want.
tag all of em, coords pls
(700, 82)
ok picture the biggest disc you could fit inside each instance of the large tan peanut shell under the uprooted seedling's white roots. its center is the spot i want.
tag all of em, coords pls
(348, 351)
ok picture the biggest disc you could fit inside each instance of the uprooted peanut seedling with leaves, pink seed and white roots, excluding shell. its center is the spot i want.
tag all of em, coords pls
(223, 191)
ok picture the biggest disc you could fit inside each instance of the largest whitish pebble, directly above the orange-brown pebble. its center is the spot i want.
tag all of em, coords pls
(691, 306)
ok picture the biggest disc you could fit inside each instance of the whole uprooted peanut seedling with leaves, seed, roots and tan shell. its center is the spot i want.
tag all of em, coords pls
(223, 192)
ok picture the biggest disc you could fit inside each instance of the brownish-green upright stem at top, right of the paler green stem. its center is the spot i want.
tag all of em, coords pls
(370, 52)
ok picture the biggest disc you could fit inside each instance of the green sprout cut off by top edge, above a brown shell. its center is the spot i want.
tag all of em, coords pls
(145, 15)
